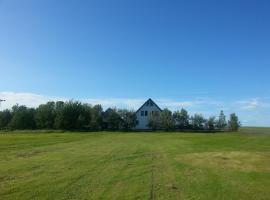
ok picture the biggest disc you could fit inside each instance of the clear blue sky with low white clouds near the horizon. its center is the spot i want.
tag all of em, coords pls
(201, 55)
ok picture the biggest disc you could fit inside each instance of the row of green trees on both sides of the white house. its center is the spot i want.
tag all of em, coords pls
(74, 115)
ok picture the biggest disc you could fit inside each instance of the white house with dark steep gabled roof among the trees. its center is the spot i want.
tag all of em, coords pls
(143, 113)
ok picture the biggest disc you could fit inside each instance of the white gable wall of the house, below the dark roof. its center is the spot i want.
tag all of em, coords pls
(143, 120)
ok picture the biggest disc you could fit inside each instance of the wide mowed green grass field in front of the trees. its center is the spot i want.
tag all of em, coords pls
(135, 166)
